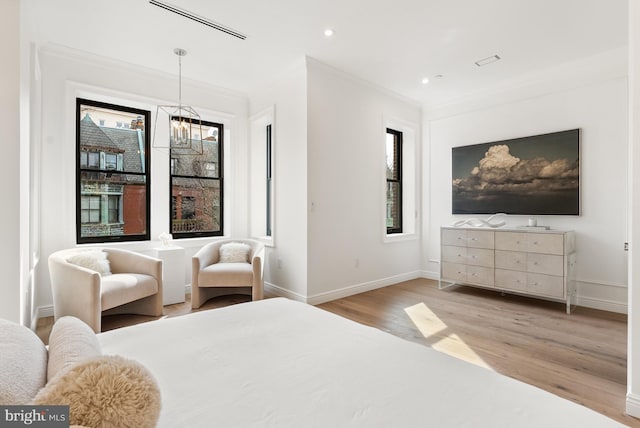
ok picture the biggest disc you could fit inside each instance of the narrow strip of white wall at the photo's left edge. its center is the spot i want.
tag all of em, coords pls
(10, 215)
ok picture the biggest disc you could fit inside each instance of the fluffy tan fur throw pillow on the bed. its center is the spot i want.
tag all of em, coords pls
(106, 391)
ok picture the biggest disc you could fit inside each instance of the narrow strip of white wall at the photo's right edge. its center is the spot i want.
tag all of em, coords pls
(633, 345)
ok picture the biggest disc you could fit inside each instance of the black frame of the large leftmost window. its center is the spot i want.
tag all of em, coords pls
(146, 236)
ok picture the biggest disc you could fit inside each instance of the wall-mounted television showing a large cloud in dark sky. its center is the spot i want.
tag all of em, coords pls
(536, 175)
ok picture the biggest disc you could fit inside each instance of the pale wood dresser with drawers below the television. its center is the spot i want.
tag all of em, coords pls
(532, 262)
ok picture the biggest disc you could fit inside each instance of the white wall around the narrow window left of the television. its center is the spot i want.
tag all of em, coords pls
(346, 184)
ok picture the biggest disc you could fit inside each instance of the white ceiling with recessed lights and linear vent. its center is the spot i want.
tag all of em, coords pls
(393, 44)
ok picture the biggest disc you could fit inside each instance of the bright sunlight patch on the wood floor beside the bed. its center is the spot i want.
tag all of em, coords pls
(442, 340)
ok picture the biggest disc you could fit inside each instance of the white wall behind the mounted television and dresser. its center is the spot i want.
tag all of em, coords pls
(580, 95)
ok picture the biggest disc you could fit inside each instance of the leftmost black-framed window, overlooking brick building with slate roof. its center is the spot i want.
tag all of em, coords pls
(112, 179)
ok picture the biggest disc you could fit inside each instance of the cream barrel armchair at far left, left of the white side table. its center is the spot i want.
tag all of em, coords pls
(133, 287)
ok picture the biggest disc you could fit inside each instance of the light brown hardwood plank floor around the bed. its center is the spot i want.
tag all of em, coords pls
(581, 357)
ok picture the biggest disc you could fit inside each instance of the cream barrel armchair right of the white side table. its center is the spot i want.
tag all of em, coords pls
(211, 278)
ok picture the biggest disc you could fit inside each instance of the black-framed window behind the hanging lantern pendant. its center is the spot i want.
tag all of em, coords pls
(196, 185)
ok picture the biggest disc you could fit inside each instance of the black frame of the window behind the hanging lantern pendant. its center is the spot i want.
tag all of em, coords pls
(175, 161)
